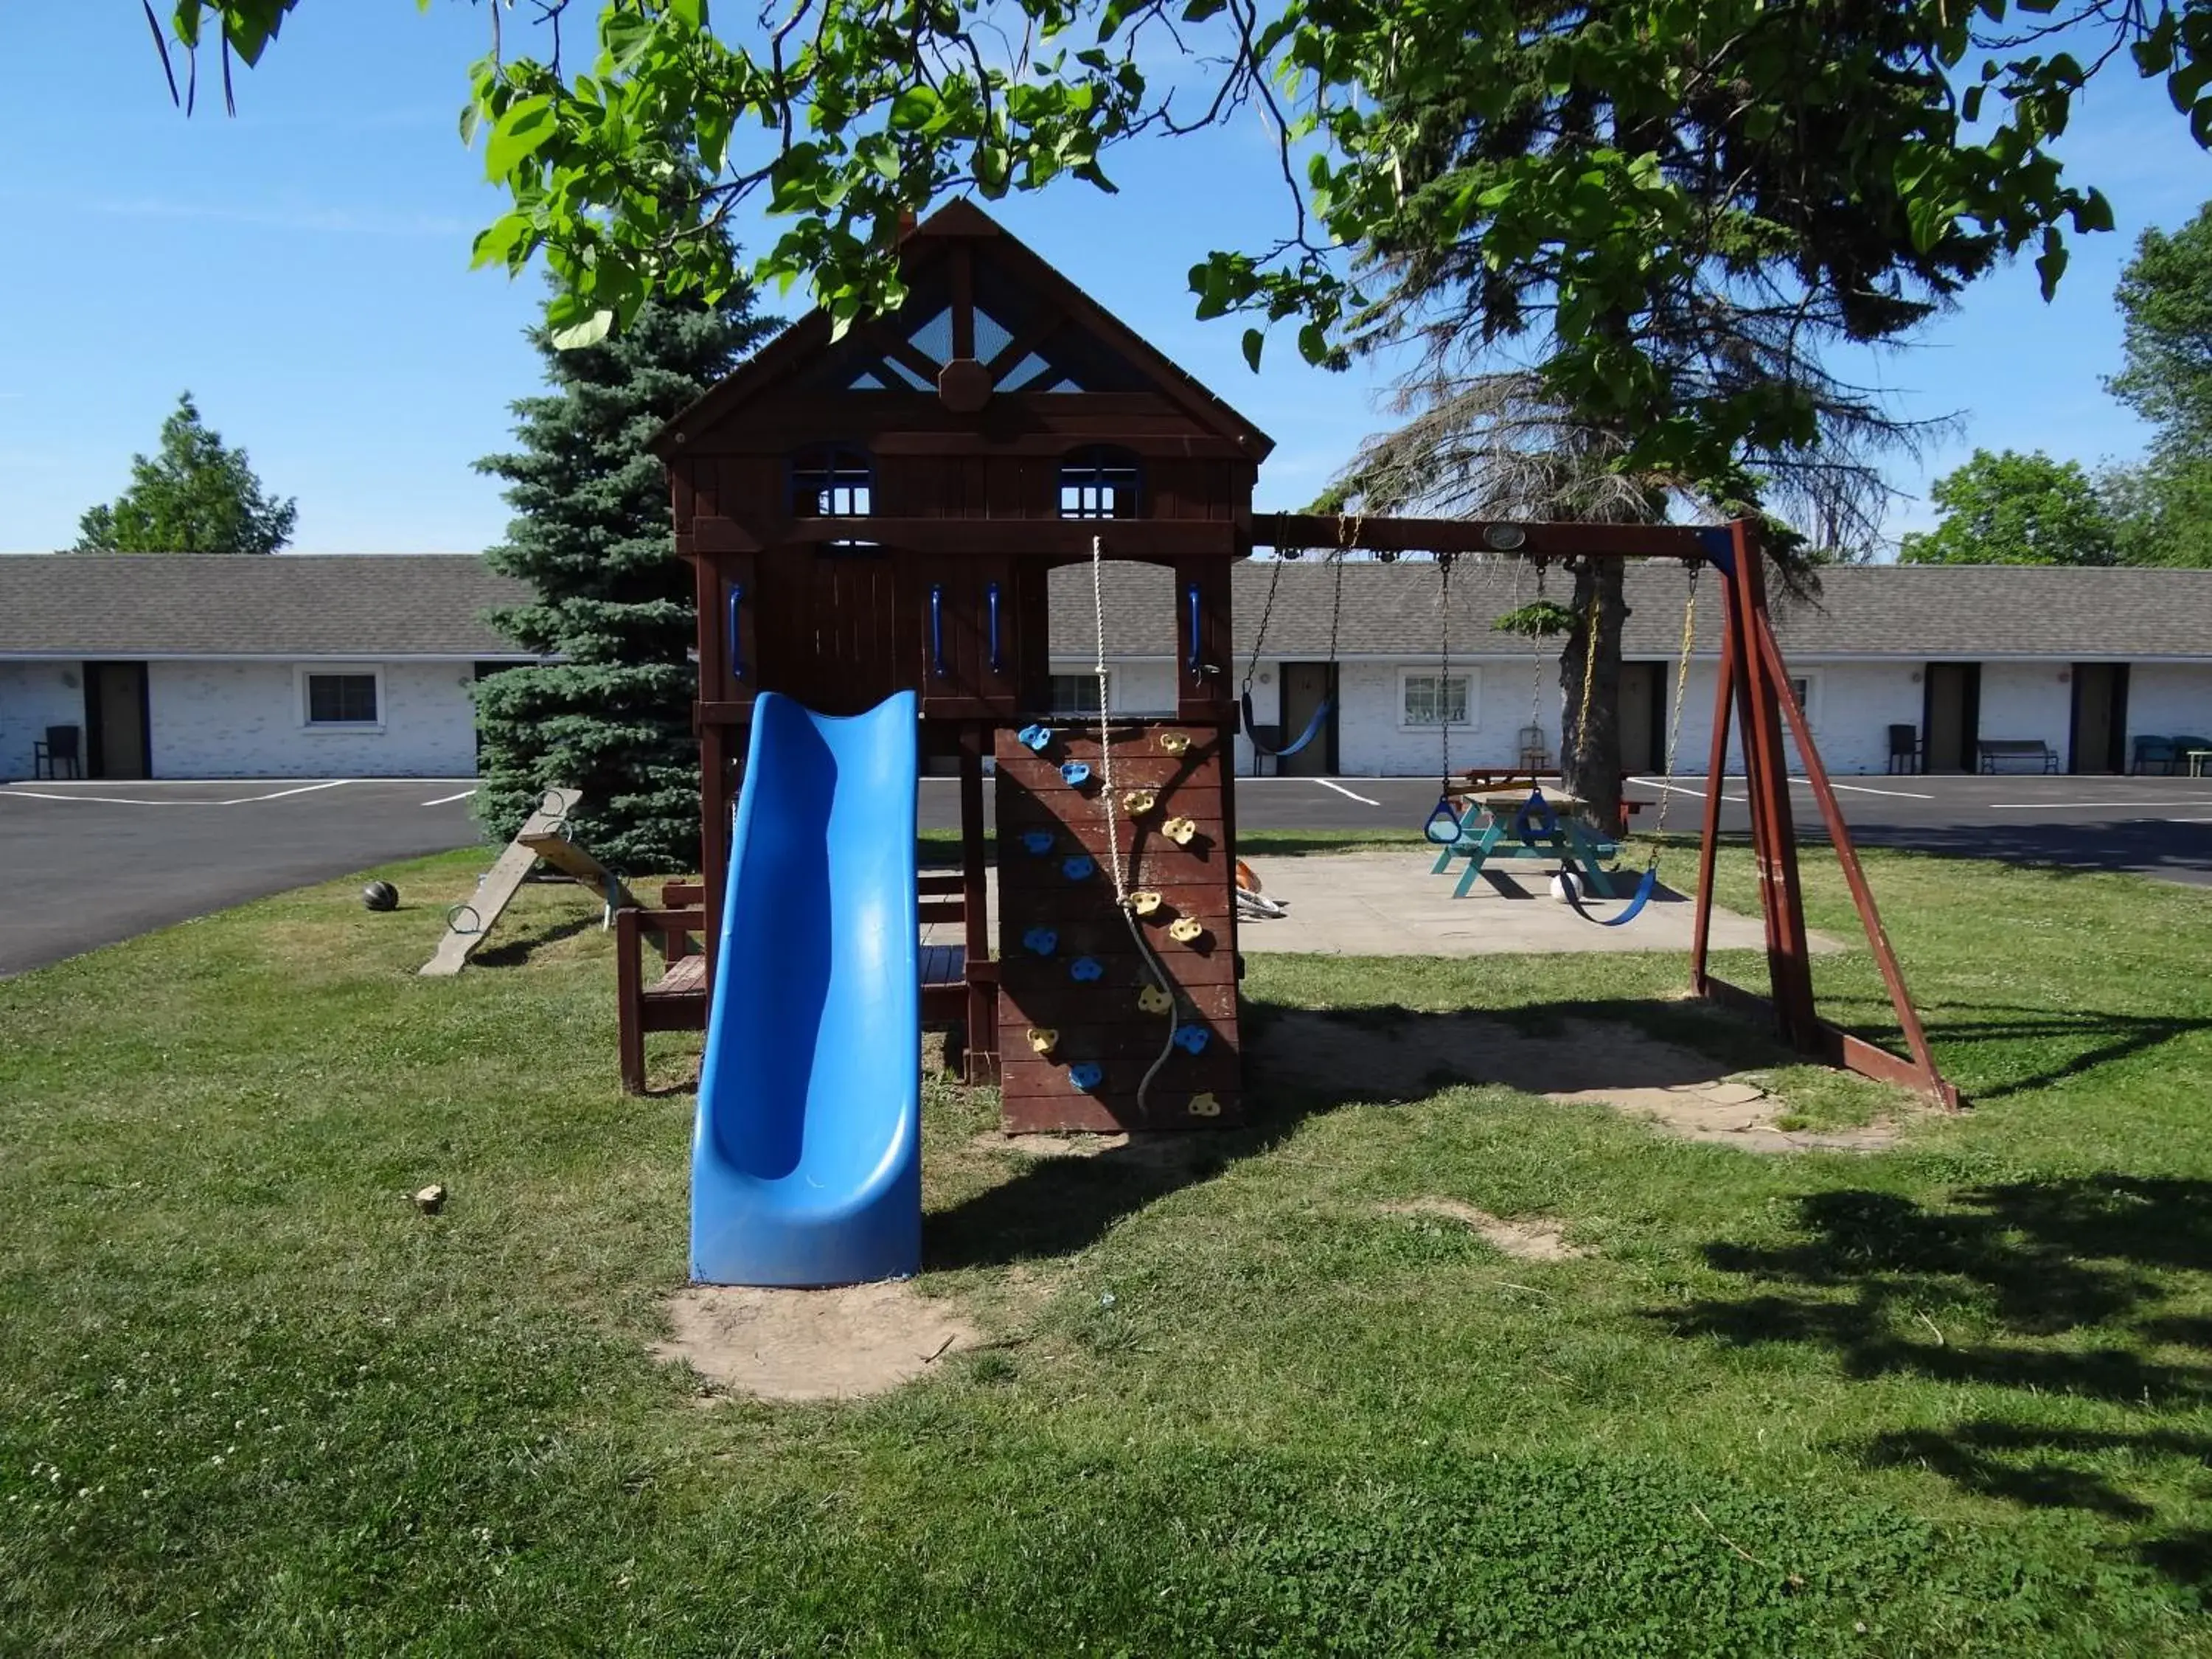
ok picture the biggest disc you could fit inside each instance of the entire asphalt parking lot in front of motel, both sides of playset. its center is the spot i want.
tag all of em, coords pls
(92, 864)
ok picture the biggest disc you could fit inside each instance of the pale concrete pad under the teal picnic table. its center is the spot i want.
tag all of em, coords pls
(1386, 904)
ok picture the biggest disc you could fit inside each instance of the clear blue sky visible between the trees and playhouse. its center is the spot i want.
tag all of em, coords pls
(304, 271)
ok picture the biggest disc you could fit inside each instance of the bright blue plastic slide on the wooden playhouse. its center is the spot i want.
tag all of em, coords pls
(806, 1158)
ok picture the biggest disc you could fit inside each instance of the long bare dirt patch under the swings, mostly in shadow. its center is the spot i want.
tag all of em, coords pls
(1364, 1056)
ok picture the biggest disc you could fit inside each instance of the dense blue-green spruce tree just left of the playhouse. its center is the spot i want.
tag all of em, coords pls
(594, 539)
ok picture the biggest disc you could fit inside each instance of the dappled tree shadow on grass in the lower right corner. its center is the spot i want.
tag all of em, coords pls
(2049, 1288)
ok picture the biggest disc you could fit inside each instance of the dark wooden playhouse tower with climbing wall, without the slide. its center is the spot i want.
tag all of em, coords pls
(879, 514)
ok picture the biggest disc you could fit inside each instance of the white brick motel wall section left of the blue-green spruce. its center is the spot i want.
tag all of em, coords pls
(247, 720)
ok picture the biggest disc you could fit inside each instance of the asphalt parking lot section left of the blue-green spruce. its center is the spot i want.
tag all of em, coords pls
(92, 864)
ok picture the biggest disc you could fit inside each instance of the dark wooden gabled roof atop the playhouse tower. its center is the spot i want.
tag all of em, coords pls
(1123, 359)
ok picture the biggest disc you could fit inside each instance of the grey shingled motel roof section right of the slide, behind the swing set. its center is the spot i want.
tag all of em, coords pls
(1968, 612)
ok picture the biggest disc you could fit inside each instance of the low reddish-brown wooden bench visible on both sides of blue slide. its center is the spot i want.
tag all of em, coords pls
(678, 999)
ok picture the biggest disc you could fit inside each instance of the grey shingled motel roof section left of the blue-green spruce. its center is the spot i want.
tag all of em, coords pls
(291, 605)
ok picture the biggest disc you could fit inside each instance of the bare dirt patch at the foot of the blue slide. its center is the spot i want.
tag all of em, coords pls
(811, 1344)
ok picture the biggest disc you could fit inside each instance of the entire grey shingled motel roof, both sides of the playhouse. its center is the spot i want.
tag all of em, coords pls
(426, 605)
